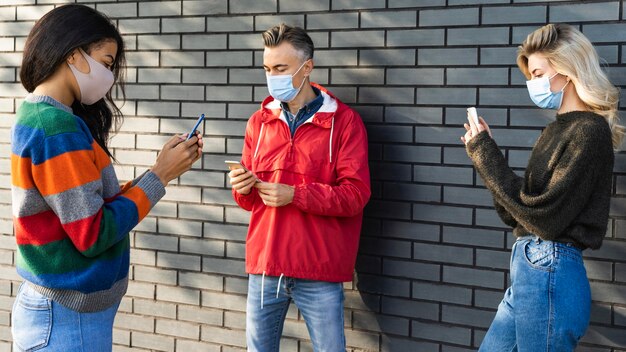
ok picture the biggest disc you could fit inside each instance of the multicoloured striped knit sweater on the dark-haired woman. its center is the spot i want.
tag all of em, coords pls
(71, 216)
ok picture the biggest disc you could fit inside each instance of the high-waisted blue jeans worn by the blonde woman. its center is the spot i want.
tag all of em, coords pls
(548, 305)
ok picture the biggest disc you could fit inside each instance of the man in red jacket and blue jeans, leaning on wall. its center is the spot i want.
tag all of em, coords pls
(307, 186)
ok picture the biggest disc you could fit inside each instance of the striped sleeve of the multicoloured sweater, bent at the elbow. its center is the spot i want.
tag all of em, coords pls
(71, 182)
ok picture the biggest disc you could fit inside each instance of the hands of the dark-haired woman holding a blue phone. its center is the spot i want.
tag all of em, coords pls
(177, 156)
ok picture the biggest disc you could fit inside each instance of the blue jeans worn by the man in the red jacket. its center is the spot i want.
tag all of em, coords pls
(321, 305)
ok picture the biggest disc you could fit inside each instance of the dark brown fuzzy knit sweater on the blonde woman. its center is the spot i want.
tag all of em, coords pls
(565, 193)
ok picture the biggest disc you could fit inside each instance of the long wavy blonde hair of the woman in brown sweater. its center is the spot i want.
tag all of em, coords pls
(571, 54)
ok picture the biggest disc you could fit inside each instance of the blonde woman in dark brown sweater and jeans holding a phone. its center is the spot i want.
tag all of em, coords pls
(561, 206)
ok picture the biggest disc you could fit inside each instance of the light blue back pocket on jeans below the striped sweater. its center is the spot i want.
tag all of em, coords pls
(31, 320)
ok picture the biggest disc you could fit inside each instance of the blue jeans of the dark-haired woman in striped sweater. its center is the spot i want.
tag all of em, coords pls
(39, 324)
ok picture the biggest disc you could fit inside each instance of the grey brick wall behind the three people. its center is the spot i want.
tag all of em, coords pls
(434, 255)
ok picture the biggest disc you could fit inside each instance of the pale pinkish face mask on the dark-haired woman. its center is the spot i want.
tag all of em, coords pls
(95, 84)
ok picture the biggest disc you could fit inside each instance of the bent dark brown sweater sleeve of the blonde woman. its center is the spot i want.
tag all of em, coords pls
(549, 212)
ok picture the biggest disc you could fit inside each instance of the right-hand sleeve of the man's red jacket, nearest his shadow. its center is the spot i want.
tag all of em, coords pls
(351, 192)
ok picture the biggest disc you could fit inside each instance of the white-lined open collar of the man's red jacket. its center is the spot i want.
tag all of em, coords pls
(272, 110)
